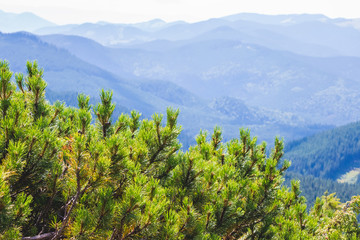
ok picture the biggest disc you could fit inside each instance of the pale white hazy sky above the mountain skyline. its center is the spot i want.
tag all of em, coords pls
(126, 11)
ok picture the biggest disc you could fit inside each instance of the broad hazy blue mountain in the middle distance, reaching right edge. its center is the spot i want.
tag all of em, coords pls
(321, 90)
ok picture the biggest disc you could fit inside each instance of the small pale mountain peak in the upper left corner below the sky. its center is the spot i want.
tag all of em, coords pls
(13, 22)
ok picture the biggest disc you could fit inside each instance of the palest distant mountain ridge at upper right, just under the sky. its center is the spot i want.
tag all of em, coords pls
(340, 35)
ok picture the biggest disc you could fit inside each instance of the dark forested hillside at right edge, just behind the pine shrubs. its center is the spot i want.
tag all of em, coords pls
(328, 154)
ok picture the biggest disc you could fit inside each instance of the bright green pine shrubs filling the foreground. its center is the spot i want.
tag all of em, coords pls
(62, 176)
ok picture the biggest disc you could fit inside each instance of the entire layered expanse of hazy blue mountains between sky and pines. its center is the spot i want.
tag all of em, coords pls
(287, 75)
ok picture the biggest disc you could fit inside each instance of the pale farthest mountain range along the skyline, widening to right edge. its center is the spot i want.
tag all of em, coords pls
(305, 34)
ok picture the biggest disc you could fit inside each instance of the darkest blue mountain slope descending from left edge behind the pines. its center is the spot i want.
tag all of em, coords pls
(66, 73)
